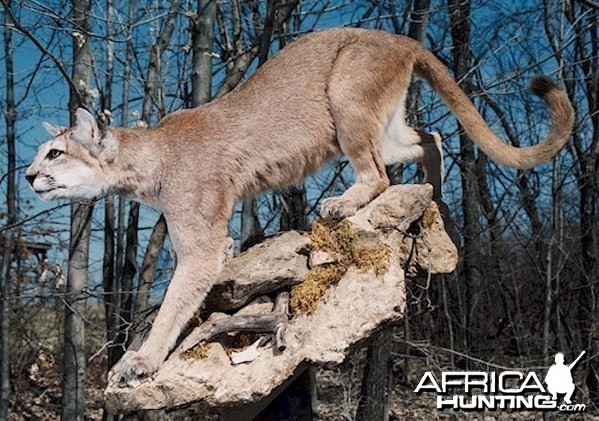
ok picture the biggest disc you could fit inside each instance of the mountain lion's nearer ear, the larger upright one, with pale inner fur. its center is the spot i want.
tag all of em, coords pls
(88, 133)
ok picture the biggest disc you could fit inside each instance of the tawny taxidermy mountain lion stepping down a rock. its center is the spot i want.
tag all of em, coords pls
(334, 91)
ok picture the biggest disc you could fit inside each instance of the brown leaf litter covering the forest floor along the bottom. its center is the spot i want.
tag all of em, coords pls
(39, 396)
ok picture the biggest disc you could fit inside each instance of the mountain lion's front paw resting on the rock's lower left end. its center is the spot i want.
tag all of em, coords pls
(132, 368)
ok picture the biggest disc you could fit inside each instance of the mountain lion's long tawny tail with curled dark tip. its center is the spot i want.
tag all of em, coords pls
(431, 68)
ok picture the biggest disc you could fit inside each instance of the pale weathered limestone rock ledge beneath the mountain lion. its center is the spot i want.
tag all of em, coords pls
(403, 220)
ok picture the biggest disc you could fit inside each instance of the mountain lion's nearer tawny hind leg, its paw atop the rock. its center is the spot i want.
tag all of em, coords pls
(360, 105)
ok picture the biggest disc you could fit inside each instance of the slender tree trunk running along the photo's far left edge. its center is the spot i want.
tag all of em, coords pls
(10, 235)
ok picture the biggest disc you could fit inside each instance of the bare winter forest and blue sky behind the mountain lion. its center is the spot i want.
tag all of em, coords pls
(75, 276)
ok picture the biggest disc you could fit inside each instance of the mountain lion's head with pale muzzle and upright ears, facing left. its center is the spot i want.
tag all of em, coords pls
(71, 164)
